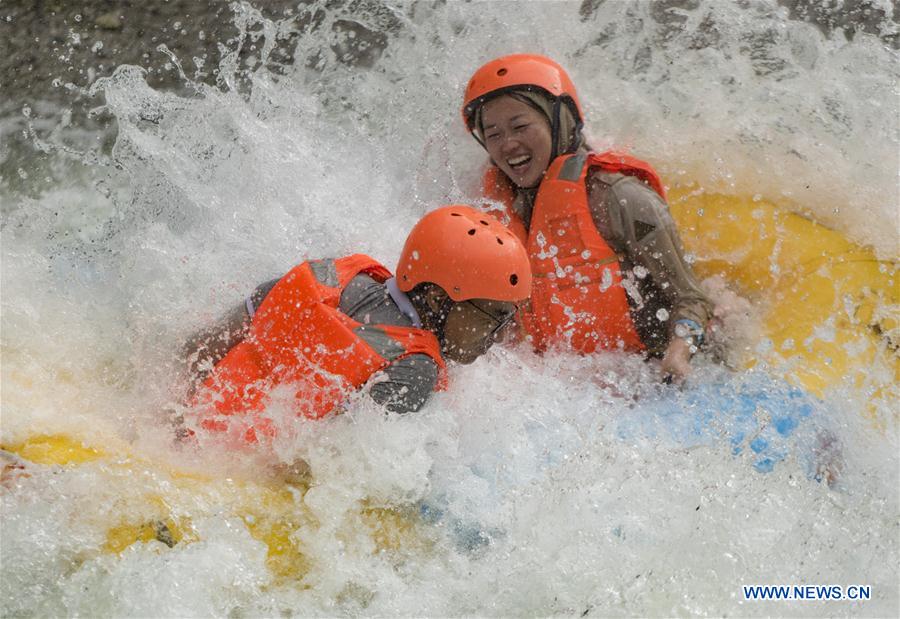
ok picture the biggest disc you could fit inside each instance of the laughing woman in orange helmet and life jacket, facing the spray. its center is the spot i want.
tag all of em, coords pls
(608, 265)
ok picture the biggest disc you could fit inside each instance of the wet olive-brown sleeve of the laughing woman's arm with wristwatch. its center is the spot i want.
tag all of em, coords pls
(632, 217)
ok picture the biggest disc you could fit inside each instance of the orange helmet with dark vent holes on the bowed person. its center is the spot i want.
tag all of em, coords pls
(466, 252)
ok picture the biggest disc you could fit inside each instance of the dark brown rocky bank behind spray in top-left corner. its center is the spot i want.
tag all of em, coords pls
(76, 42)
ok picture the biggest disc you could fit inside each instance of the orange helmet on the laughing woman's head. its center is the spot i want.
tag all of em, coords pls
(517, 71)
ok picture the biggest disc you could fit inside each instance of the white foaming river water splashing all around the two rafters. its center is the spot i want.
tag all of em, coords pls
(528, 497)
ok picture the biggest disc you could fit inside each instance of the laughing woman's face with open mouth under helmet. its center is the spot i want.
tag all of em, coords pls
(518, 139)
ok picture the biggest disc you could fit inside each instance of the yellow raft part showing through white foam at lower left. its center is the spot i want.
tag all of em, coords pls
(161, 506)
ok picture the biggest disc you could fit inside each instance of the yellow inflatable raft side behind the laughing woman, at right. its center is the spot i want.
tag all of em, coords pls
(830, 307)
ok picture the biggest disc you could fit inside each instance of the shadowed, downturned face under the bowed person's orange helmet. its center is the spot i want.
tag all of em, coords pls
(472, 327)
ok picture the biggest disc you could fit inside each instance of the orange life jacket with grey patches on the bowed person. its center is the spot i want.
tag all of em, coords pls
(300, 340)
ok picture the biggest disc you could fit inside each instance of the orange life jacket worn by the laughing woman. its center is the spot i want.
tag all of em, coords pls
(577, 295)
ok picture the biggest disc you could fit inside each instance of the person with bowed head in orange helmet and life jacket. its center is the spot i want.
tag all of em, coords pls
(328, 327)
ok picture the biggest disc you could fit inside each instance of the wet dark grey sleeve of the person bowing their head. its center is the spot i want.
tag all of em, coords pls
(406, 384)
